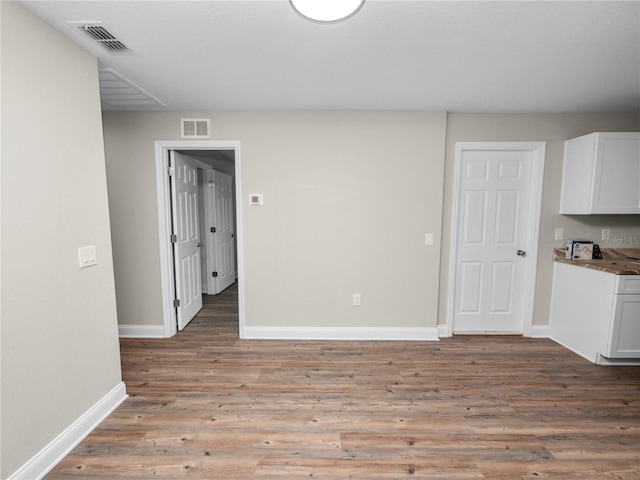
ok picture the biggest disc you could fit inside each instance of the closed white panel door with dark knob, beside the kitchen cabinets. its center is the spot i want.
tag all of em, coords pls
(493, 240)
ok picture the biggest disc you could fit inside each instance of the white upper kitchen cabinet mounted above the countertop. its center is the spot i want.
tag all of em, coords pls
(601, 174)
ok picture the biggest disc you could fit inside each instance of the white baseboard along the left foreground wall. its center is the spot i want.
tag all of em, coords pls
(58, 448)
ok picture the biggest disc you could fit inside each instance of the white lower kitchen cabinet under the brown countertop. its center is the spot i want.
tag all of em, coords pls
(596, 314)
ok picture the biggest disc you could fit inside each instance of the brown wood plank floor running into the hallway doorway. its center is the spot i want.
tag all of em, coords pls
(207, 405)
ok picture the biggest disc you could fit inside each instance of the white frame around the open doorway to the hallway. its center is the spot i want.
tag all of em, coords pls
(163, 193)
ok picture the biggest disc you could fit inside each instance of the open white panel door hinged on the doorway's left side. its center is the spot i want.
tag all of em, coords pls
(187, 244)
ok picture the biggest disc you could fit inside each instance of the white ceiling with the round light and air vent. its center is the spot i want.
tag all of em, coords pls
(474, 56)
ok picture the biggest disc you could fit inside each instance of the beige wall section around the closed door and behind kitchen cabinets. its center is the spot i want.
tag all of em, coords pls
(553, 129)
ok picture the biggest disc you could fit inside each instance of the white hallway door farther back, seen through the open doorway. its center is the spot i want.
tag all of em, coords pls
(224, 236)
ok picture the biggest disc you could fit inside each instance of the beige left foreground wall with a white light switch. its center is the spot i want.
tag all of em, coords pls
(59, 347)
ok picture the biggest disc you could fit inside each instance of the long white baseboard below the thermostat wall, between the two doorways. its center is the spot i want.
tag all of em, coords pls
(340, 333)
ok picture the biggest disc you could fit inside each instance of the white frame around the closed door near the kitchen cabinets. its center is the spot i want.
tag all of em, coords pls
(537, 150)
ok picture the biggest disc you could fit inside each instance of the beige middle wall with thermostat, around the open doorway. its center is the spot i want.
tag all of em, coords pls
(348, 199)
